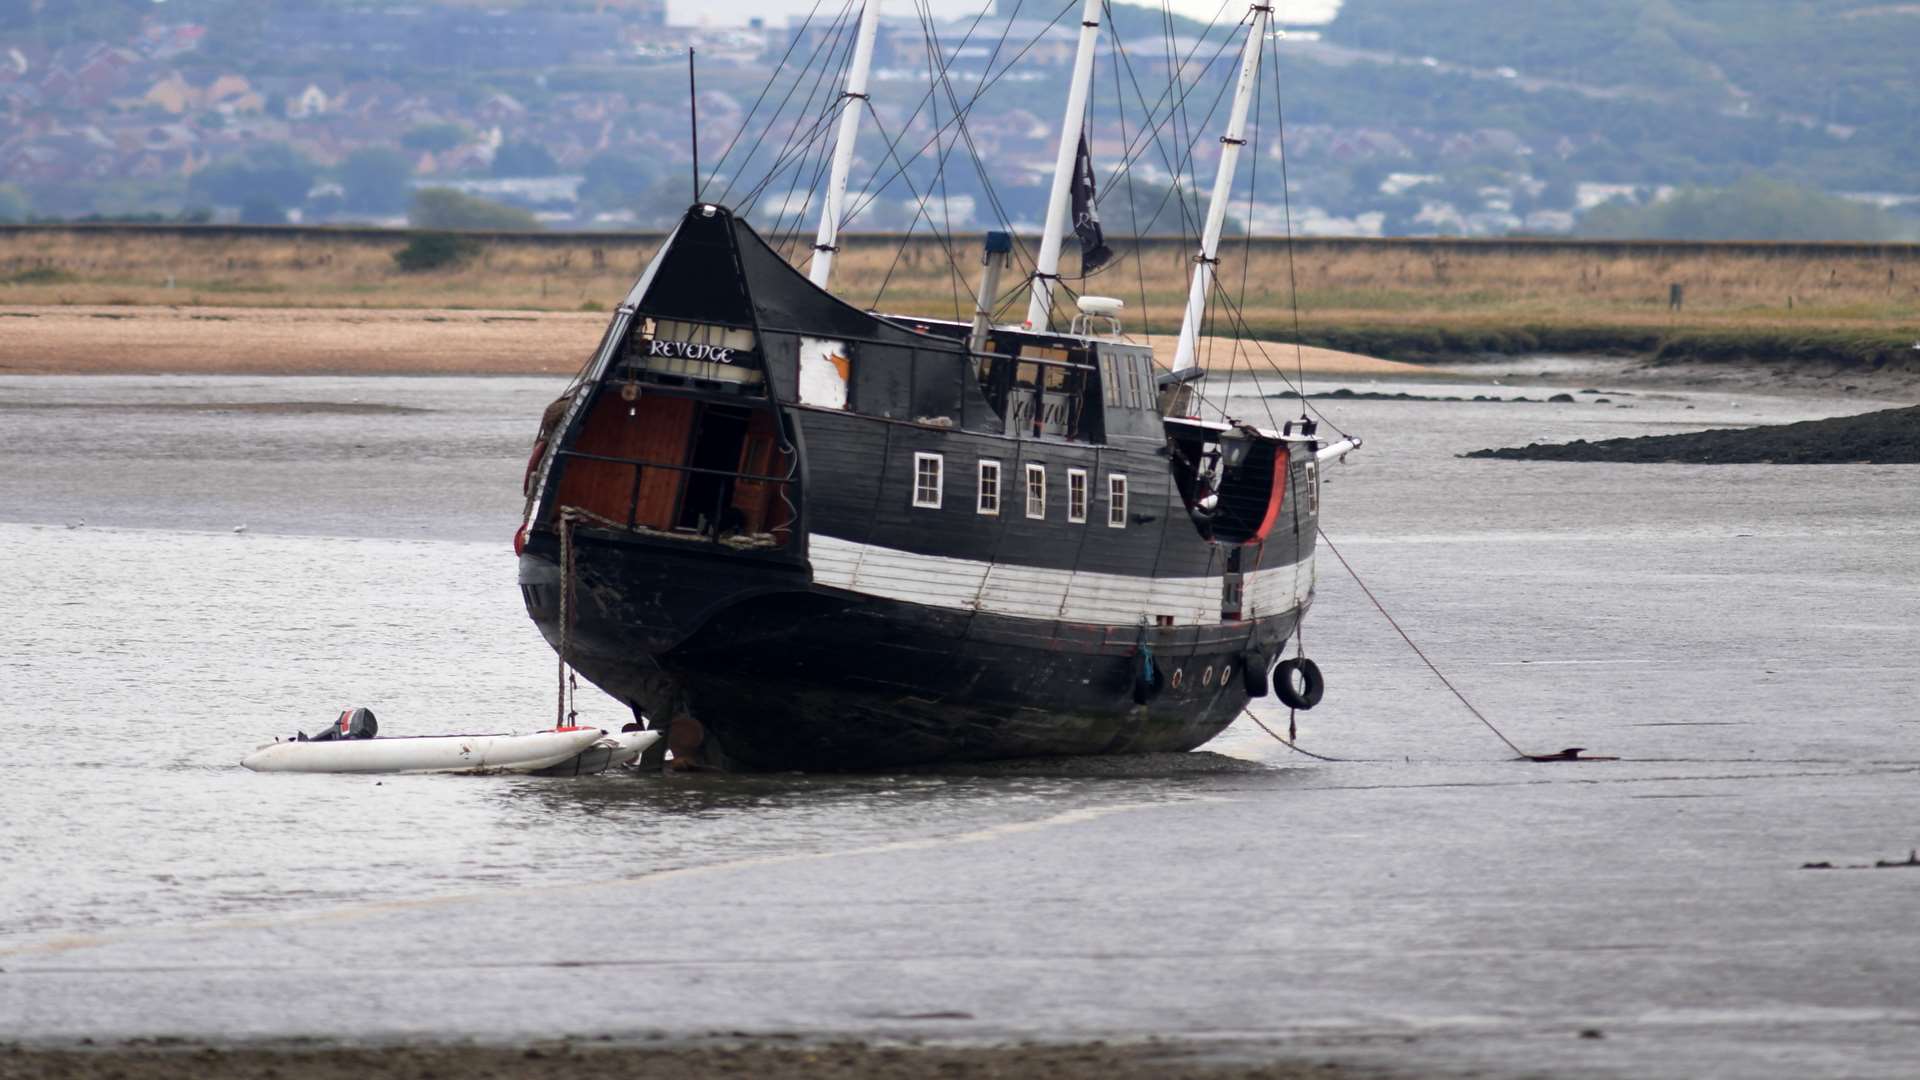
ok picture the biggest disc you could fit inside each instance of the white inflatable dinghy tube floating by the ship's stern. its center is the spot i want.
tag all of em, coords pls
(433, 754)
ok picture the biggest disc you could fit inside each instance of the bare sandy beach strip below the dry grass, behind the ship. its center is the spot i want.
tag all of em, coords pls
(348, 341)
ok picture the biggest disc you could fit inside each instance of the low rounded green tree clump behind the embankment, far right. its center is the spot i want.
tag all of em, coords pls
(1752, 210)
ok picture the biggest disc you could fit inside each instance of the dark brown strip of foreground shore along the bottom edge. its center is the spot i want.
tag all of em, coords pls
(608, 1062)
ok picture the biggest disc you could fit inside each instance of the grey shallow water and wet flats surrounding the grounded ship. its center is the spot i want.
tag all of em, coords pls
(1746, 637)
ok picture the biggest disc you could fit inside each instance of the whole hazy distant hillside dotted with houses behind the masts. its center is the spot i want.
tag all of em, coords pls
(1404, 118)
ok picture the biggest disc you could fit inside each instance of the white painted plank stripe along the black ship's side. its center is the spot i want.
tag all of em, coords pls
(1034, 593)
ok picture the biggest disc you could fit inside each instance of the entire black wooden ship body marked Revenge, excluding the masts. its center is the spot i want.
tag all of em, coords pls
(811, 537)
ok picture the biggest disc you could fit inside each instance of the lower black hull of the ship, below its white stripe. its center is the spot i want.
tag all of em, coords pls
(823, 679)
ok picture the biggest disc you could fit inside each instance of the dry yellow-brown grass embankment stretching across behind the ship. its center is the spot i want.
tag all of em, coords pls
(1854, 305)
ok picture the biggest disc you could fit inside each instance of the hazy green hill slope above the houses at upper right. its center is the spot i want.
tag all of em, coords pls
(1819, 91)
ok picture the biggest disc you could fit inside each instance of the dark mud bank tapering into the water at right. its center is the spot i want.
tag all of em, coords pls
(1890, 437)
